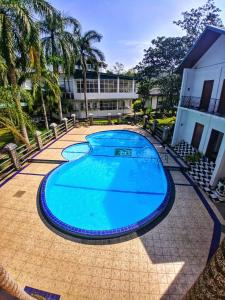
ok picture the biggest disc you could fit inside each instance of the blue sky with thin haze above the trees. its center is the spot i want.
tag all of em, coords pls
(128, 26)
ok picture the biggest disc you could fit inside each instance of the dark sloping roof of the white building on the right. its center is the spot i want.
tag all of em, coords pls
(203, 43)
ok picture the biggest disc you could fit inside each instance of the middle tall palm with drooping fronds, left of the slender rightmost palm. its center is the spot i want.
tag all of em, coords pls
(58, 44)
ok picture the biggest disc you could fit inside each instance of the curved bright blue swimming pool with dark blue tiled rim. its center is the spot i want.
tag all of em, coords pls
(112, 185)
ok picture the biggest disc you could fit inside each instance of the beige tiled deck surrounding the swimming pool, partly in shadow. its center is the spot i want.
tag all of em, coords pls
(161, 264)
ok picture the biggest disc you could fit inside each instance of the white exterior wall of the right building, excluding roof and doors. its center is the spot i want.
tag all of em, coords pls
(211, 66)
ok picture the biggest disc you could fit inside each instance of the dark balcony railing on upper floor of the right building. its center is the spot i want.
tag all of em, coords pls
(197, 103)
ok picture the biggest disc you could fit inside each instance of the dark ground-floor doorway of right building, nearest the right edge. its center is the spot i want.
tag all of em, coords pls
(214, 144)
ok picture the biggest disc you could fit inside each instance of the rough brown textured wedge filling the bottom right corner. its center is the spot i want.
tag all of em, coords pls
(211, 282)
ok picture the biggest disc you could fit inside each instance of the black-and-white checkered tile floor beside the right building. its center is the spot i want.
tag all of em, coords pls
(201, 171)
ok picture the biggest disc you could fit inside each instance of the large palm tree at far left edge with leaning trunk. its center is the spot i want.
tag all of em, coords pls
(18, 35)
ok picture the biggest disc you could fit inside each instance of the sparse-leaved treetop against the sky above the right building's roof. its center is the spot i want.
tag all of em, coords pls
(193, 22)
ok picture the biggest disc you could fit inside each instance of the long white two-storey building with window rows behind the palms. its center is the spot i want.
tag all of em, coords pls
(106, 93)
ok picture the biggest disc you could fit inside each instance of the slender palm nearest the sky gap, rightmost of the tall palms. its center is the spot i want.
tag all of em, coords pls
(88, 54)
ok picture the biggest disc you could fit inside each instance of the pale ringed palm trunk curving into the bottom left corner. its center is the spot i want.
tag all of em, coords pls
(8, 284)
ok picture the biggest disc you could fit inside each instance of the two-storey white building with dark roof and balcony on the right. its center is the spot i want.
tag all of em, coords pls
(201, 112)
